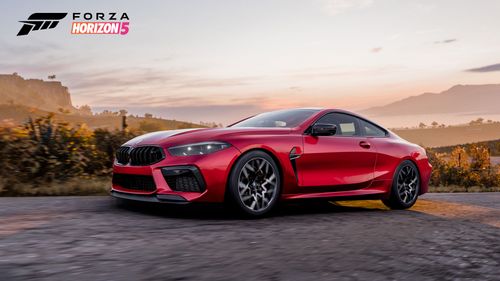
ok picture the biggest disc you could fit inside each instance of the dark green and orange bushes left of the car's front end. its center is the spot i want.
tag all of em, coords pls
(43, 152)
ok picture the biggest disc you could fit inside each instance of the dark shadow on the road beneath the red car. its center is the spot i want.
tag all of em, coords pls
(221, 212)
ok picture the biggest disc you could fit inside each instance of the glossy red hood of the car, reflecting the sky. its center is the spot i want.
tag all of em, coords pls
(185, 136)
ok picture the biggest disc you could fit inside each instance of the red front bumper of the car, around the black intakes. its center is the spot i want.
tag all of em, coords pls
(211, 171)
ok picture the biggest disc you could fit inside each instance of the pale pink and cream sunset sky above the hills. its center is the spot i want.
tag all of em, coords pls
(221, 60)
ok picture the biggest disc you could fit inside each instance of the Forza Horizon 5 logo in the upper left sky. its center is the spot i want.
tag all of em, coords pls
(83, 23)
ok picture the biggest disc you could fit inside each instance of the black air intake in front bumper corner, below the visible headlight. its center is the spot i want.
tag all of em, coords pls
(184, 179)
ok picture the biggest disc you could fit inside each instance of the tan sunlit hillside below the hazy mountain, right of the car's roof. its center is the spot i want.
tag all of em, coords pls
(448, 136)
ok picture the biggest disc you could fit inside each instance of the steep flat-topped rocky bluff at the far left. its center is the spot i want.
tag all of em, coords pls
(44, 95)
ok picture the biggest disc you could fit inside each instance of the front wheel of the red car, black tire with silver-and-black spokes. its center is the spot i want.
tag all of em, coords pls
(254, 184)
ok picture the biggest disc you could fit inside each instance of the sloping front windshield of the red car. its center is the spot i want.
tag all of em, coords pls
(281, 119)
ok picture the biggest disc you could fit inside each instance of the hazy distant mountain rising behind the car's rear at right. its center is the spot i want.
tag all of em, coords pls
(477, 99)
